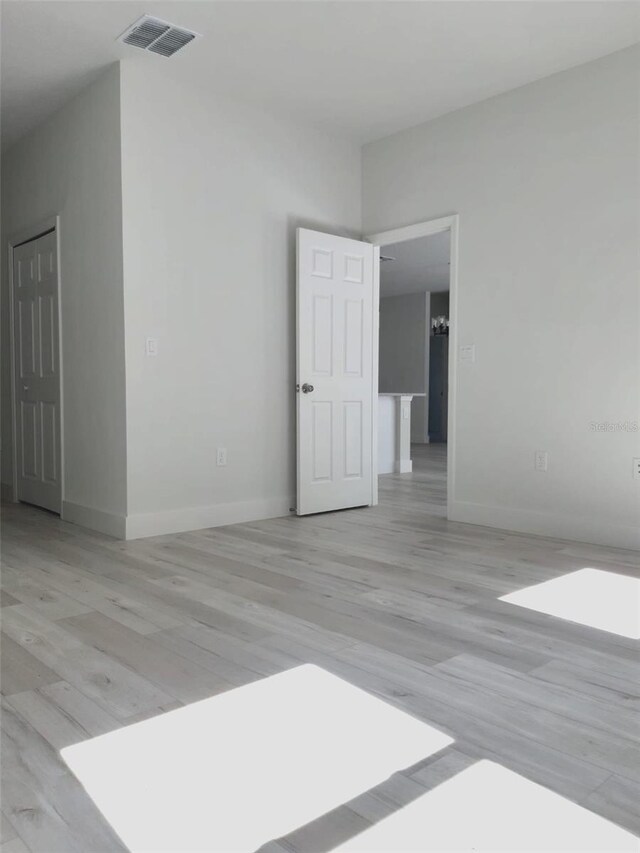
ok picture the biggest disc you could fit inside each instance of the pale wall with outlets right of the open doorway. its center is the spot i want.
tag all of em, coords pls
(545, 179)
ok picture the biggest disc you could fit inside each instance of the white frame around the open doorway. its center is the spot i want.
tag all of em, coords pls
(401, 235)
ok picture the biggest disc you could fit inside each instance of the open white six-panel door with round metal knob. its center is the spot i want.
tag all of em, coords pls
(336, 289)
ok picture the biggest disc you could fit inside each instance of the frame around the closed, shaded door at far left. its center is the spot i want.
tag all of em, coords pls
(25, 235)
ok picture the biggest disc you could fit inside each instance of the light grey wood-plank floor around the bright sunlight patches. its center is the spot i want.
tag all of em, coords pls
(98, 633)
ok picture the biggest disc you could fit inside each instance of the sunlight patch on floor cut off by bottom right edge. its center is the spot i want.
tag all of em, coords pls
(488, 808)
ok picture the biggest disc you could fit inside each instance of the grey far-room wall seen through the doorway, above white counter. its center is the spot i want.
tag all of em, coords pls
(404, 354)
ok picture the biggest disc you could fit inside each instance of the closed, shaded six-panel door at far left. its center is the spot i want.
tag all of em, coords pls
(37, 372)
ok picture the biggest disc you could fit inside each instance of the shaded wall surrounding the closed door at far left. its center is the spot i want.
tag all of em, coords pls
(71, 166)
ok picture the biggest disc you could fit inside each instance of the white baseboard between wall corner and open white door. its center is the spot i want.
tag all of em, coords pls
(142, 525)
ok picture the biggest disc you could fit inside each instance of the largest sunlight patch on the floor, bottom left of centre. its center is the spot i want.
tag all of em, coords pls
(236, 770)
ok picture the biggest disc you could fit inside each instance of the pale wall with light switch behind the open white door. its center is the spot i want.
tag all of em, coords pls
(213, 193)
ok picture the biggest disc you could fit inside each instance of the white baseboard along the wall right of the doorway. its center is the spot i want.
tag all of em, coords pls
(546, 524)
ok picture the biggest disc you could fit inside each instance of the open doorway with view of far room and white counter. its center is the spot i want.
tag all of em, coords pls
(418, 280)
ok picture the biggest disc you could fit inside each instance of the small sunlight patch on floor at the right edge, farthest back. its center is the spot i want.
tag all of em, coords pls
(604, 600)
